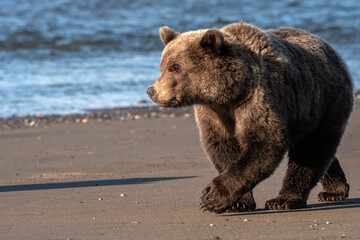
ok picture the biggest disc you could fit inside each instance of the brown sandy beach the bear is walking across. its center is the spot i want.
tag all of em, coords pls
(140, 178)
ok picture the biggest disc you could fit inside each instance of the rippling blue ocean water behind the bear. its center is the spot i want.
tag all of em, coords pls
(63, 56)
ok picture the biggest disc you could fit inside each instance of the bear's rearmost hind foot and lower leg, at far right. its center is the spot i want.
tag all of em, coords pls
(335, 186)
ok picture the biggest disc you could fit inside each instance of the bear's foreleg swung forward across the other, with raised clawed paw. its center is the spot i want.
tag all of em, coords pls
(238, 179)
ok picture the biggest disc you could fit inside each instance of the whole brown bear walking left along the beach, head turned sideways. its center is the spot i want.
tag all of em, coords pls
(258, 95)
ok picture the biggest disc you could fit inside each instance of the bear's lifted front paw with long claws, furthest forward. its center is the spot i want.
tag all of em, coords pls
(215, 198)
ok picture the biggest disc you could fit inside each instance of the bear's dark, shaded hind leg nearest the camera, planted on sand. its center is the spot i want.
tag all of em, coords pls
(308, 160)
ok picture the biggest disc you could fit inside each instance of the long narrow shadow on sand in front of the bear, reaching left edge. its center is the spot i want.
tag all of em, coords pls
(81, 184)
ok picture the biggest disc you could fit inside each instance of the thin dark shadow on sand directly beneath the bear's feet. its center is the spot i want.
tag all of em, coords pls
(348, 203)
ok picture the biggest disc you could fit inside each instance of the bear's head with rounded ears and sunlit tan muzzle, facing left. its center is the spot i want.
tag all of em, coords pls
(198, 67)
